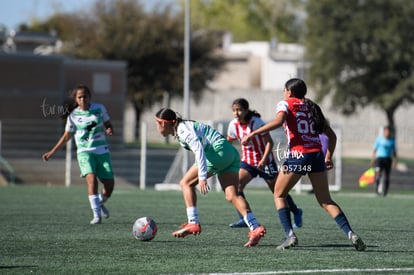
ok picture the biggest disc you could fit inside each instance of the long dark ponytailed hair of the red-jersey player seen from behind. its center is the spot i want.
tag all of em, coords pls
(298, 88)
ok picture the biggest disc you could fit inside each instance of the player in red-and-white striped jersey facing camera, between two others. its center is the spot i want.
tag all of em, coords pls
(257, 158)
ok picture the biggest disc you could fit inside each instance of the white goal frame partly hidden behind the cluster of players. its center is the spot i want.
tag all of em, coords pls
(176, 171)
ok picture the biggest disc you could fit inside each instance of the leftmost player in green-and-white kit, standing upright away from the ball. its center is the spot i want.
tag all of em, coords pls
(89, 124)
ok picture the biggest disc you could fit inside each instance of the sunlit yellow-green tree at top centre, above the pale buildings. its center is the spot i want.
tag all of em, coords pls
(250, 19)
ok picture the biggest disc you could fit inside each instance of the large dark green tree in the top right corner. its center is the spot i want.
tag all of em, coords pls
(361, 52)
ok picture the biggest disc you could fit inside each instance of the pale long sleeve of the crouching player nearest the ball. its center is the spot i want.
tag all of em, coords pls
(188, 136)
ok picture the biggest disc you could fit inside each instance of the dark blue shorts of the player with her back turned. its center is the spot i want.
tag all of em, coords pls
(305, 163)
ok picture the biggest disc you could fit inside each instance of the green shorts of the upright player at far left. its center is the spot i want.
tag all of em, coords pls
(100, 165)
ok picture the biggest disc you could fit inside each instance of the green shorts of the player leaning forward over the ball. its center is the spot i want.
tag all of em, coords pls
(222, 157)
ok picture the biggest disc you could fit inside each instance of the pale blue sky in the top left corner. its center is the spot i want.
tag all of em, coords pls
(15, 12)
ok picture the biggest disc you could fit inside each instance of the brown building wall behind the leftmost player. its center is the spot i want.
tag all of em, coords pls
(35, 87)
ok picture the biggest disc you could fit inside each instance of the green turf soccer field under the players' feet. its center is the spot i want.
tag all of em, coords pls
(46, 230)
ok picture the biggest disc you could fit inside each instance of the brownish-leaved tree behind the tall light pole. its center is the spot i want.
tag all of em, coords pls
(152, 43)
